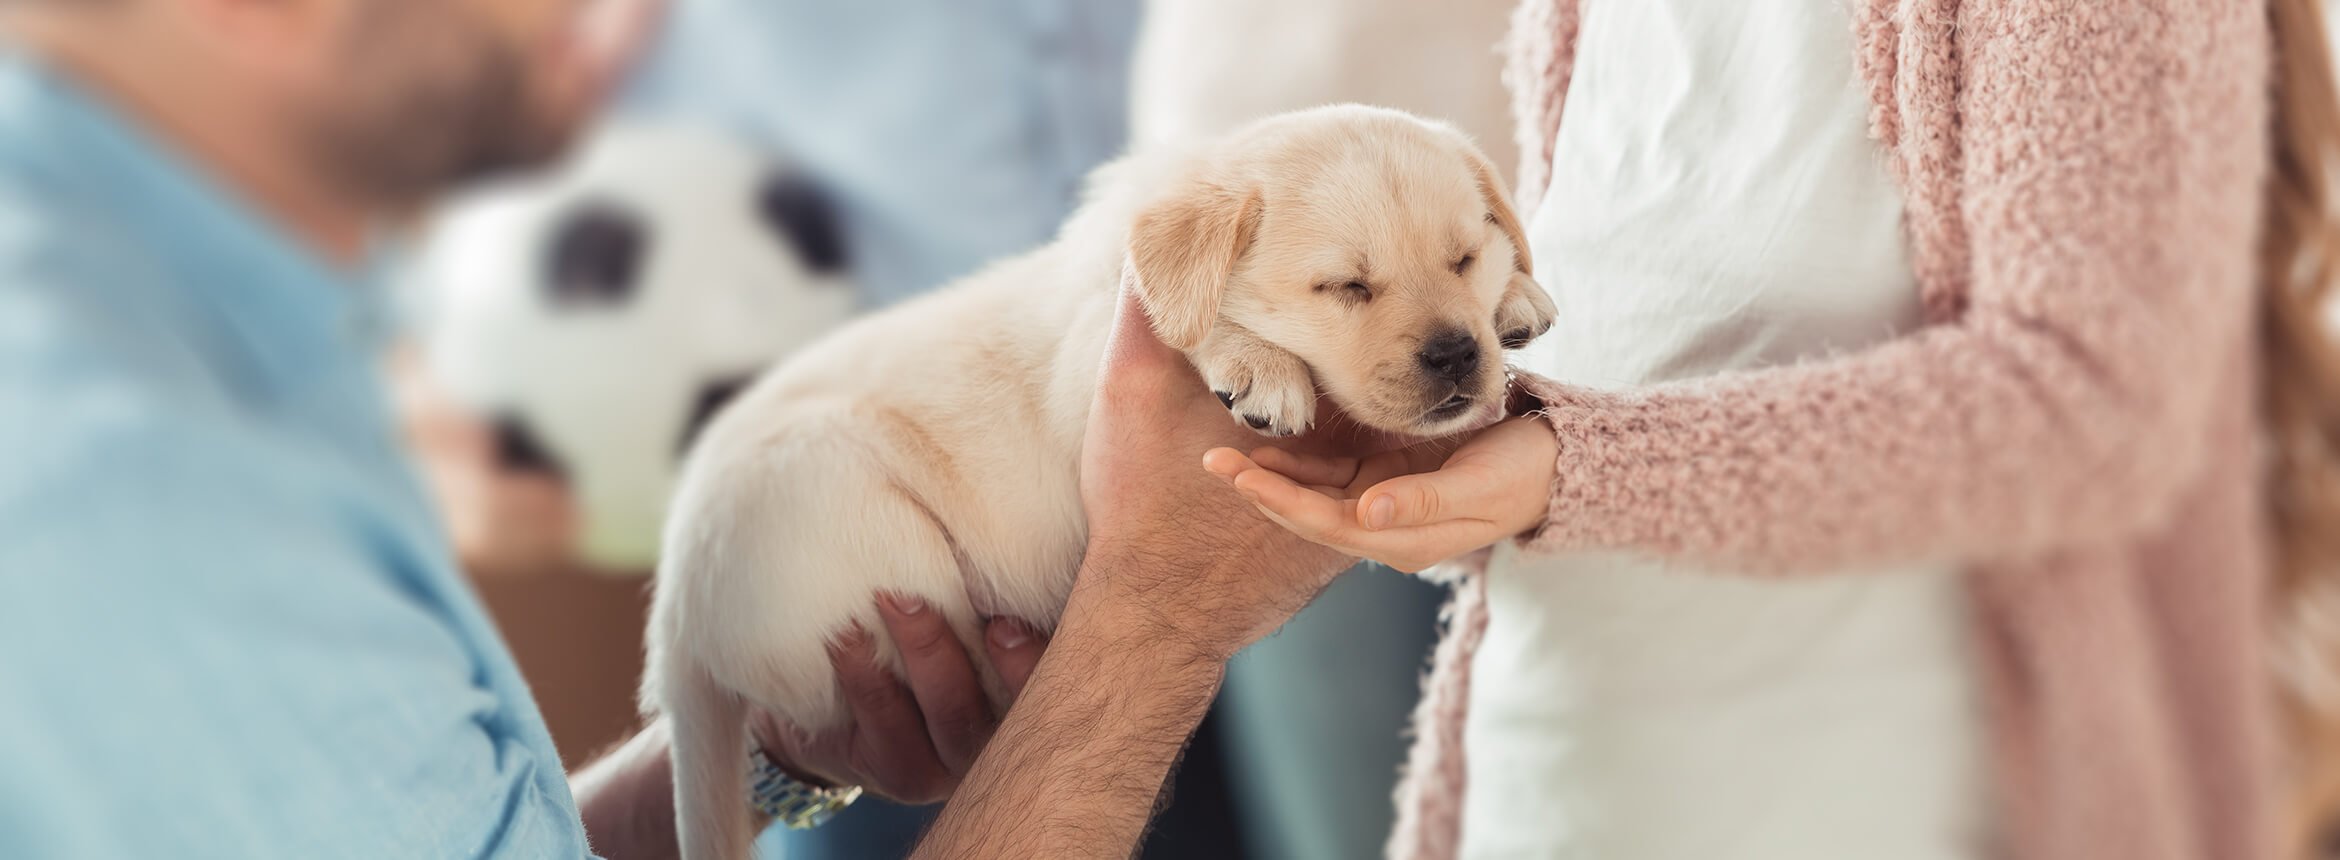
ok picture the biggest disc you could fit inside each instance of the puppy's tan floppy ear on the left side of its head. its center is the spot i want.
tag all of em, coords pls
(1185, 247)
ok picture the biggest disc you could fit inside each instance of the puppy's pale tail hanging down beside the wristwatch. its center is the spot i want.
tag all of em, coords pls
(710, 768)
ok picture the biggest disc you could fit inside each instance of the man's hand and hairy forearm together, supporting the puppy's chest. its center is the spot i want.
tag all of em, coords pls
(1181, 574)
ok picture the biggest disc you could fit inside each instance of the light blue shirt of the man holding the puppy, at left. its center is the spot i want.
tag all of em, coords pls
(228, 620)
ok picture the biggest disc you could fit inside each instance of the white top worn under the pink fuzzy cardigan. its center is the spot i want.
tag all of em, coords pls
(1716, 204)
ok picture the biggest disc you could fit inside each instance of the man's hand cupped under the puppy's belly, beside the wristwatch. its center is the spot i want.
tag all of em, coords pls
(909, 740)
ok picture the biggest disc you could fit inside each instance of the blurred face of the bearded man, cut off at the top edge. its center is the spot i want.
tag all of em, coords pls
(422, 95)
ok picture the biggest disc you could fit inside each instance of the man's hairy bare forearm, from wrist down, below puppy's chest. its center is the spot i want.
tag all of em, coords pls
(1082, 758)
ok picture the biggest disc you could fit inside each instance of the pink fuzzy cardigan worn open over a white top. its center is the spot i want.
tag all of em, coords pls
(2074, 422)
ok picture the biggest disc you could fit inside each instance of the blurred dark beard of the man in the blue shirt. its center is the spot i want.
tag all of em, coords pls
(432, 99)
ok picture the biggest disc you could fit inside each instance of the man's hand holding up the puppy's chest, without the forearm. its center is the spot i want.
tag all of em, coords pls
(1164, 536)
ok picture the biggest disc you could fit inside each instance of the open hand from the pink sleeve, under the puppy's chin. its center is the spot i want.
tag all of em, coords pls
(1408, 508)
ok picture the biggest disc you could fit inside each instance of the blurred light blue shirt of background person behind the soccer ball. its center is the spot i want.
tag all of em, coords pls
(949, 132)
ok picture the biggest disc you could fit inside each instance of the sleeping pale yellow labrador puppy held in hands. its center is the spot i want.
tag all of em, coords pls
(932, 450)
